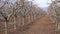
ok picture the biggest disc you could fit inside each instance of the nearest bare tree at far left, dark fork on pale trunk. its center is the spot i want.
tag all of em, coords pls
(7, 10)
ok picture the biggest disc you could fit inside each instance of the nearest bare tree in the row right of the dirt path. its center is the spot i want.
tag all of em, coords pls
(54, 12)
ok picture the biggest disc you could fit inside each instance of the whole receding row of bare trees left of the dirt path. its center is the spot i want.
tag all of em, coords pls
(25, 11)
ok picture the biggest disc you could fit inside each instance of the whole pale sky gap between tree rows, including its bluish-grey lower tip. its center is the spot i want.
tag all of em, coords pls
(42, 3)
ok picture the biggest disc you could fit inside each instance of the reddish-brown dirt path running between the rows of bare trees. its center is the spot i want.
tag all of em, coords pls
(42, 25)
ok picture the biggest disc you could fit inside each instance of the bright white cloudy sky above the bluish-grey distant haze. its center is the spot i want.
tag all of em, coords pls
(41, 3)
